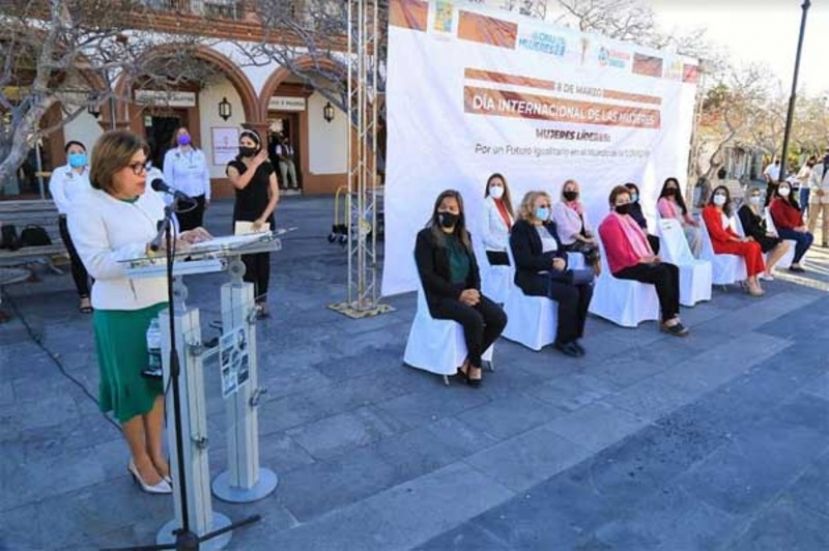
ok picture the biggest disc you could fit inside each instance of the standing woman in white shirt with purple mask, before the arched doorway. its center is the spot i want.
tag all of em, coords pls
(185, 169)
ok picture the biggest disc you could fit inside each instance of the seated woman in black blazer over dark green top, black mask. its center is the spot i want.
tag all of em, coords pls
(449, 273)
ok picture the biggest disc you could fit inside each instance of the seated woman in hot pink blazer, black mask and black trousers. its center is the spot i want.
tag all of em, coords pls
(630, 256)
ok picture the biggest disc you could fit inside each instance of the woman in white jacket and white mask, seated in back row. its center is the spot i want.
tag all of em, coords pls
(498, 220)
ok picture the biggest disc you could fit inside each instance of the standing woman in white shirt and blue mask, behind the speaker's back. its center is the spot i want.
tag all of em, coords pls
(67, 184)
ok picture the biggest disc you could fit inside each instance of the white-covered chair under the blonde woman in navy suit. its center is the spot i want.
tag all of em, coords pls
(531, 320)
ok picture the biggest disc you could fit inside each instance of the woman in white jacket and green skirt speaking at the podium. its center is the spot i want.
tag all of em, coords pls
(116, 221)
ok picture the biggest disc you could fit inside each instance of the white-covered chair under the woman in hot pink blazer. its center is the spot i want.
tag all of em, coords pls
(623, 301)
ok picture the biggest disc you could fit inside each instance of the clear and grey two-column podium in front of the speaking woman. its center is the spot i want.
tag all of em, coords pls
(244, 480)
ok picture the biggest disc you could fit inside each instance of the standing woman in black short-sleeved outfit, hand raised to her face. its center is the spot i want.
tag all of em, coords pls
(257, 193)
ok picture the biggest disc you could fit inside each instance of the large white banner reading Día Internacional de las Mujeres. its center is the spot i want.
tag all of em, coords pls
(472, 91)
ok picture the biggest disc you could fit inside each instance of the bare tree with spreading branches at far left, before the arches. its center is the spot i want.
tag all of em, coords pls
(69, 53)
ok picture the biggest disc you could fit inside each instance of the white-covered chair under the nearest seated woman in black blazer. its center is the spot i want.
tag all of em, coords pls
(436, 345)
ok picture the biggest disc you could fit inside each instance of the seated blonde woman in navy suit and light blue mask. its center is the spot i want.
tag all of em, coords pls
(541, 270)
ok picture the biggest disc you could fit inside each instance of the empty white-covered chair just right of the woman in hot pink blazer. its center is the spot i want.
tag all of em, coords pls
(695, 276)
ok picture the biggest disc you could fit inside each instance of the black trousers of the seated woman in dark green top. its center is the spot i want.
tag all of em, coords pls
(482, 323)
